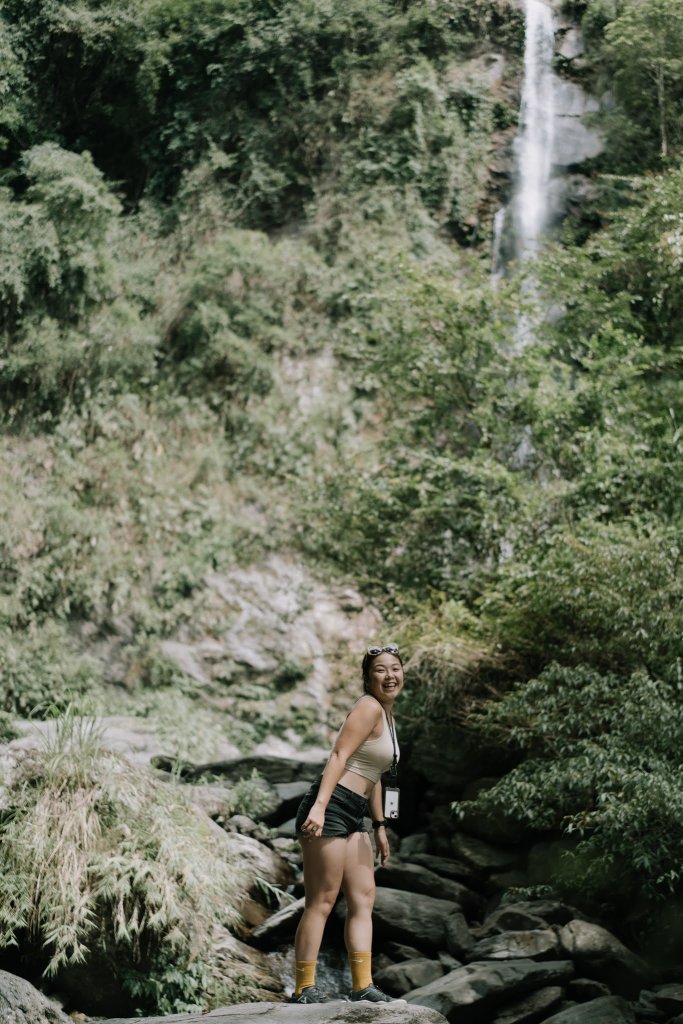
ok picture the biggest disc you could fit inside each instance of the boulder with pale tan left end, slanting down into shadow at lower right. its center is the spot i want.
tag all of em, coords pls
(600, 955)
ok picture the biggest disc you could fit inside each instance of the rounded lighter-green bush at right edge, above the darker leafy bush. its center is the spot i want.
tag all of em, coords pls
(609, 596)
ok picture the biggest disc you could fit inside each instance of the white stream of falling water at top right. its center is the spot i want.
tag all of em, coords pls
(535, 143)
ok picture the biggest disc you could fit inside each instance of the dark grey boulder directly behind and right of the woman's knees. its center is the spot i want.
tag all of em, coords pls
(410, 918)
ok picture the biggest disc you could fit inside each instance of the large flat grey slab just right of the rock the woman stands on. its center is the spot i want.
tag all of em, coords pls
(471, 995)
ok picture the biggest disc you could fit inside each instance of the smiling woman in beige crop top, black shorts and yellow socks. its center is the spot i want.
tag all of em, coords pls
(337, 854)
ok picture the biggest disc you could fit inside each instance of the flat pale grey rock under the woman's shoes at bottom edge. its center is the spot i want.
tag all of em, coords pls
(335, 1012)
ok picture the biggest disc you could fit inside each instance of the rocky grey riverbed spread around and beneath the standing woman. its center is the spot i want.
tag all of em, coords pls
(453, 937)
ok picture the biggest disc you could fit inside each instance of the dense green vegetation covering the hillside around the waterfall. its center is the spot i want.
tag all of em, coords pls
(244, 287)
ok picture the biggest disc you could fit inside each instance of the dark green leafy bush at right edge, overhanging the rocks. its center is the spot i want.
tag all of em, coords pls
(603, 756)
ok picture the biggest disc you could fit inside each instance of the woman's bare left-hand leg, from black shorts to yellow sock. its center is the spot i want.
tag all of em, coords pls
(324, 862)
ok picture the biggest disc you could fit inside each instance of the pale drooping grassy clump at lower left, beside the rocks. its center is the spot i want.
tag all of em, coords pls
(127, 870)
